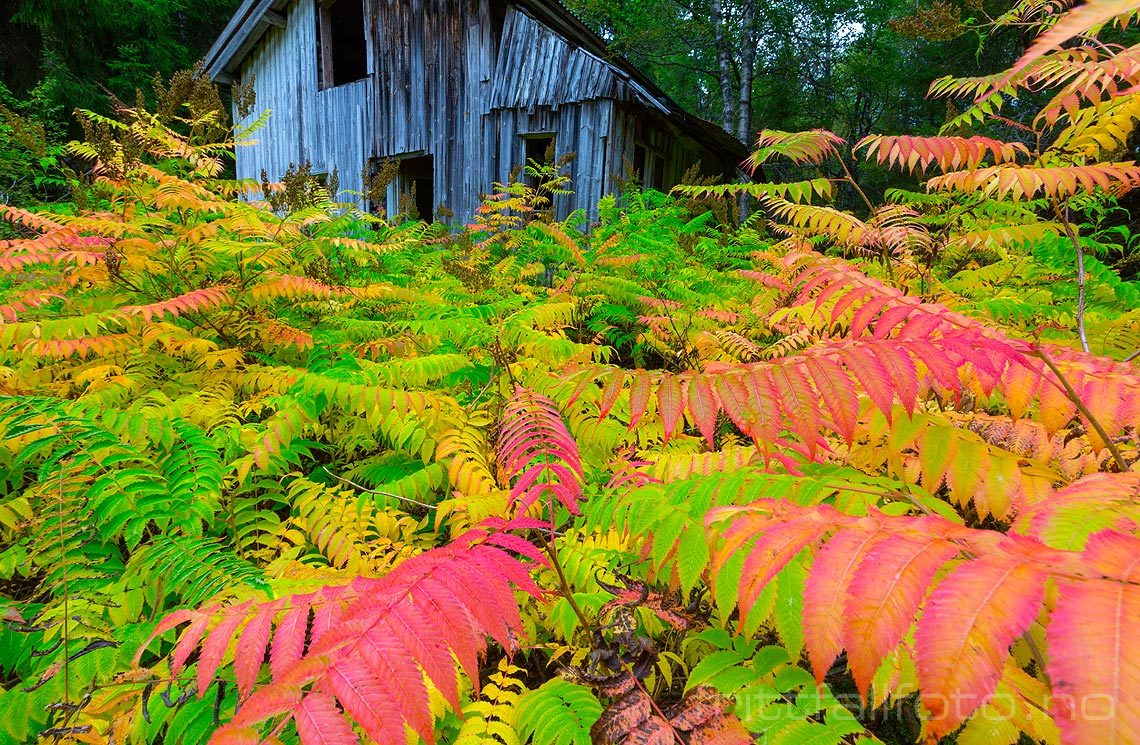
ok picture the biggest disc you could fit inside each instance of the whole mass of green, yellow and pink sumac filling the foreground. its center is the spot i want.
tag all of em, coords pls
(280, 471)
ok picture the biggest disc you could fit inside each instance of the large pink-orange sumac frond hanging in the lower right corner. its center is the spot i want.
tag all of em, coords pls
(872, 577)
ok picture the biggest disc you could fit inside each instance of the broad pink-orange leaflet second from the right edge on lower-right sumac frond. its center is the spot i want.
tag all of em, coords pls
(965, 634)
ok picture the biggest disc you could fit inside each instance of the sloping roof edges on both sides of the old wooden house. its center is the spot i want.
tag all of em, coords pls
(255, 18)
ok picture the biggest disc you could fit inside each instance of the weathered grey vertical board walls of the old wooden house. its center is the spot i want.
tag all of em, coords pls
(442, 86)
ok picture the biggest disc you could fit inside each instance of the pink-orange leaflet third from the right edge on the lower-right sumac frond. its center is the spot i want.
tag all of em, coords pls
(885, 595)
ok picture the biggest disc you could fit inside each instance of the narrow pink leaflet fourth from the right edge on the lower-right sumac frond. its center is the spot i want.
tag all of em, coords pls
(826, 595)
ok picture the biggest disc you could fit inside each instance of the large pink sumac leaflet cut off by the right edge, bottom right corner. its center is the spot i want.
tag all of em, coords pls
(1094, 660)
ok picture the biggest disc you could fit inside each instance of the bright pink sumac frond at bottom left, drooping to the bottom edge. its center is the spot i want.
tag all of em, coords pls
(364, 646)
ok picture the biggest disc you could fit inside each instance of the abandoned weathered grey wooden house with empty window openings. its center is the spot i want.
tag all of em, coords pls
(460, 93)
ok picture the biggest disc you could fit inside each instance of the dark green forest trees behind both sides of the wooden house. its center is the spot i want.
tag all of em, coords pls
(850, 67)
